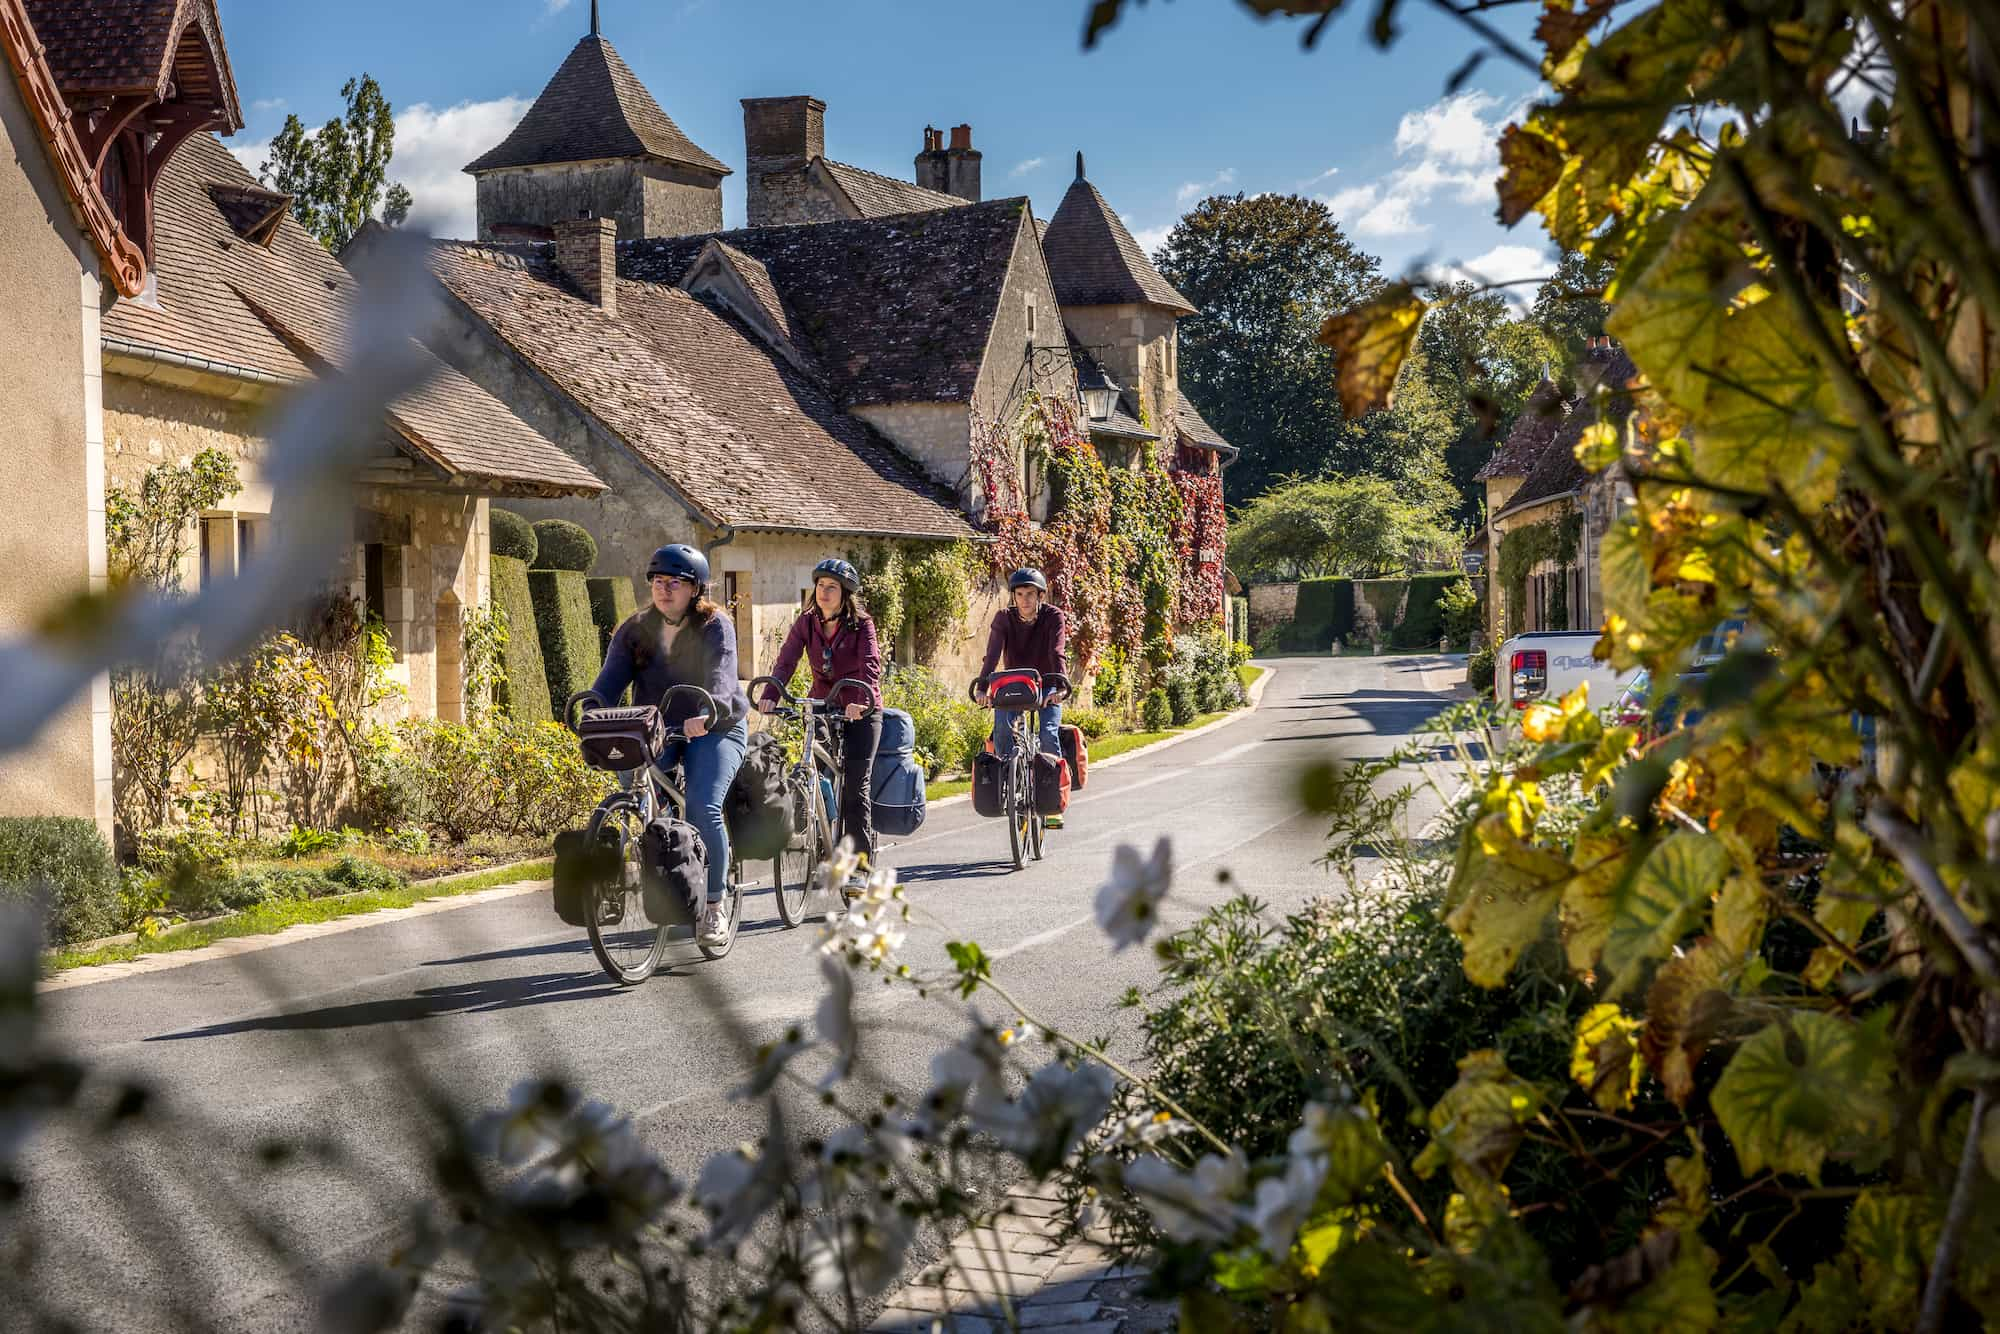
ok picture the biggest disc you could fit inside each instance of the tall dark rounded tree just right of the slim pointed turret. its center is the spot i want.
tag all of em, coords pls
(1265, 273)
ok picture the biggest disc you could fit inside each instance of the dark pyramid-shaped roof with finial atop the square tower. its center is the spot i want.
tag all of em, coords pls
(595, 107)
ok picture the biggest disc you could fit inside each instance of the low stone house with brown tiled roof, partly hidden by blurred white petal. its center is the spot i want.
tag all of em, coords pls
(245, 305)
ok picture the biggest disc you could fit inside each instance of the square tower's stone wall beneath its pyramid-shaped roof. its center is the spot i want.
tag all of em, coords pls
(647, 199)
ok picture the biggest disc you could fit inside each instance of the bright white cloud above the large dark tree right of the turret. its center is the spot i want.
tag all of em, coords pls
(1449, 155)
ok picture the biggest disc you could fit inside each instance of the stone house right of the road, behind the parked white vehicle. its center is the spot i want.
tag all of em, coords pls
(1535, 479)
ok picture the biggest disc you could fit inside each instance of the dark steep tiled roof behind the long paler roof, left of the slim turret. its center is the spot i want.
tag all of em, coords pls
(891, 309)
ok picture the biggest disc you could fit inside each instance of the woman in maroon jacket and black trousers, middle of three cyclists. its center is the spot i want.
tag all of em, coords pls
(839, 643)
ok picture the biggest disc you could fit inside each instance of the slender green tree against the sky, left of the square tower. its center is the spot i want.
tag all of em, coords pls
(339, 173)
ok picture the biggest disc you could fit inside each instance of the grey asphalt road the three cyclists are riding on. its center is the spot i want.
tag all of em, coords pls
(297, 1041)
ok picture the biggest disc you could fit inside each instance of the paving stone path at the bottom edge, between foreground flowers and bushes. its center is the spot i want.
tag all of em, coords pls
(1017, 1273)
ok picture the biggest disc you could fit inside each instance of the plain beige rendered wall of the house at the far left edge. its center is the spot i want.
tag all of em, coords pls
(55, 499)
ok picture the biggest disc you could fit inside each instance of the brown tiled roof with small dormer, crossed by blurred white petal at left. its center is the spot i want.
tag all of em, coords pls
(281, 311)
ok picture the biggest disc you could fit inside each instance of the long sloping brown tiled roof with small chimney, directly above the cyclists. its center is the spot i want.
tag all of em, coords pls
(731, 425)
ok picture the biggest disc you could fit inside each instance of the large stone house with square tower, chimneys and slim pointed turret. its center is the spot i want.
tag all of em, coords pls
(815, 383)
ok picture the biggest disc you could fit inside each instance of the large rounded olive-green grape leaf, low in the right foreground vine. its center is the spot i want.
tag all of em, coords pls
(1803, 1089)
